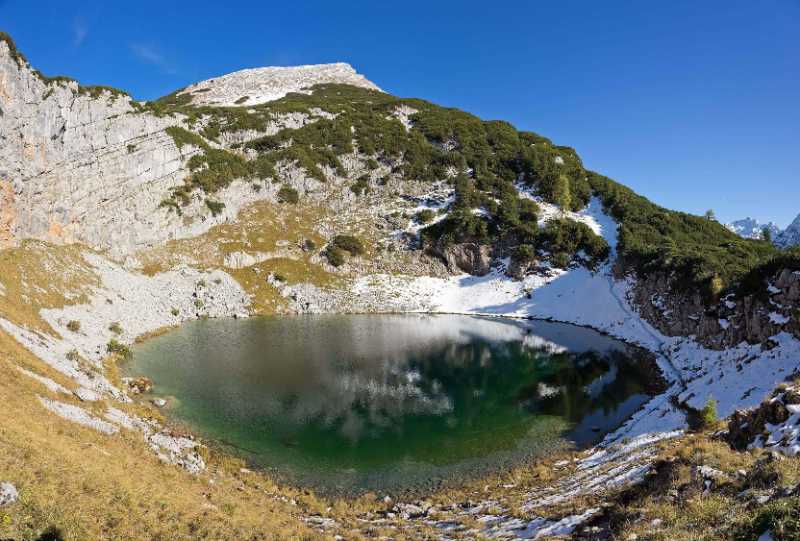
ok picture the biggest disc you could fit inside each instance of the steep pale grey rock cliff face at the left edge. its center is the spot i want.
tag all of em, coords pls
(80, 167)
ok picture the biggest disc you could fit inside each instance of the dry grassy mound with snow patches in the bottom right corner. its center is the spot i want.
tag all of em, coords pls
(676, 505)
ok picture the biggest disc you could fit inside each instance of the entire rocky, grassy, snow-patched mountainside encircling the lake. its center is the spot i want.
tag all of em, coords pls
(319, 193)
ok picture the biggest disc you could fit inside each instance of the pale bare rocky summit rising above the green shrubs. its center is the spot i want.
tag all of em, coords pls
(260, 85)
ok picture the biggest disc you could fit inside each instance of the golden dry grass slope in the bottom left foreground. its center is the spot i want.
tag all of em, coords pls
(91, 486)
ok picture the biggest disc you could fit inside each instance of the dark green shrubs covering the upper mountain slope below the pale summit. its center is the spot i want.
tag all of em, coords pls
(485, 161)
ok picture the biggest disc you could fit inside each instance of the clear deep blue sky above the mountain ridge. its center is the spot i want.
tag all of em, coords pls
(693, 104)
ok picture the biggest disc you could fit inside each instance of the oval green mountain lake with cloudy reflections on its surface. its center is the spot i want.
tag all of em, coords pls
(345, 403)
